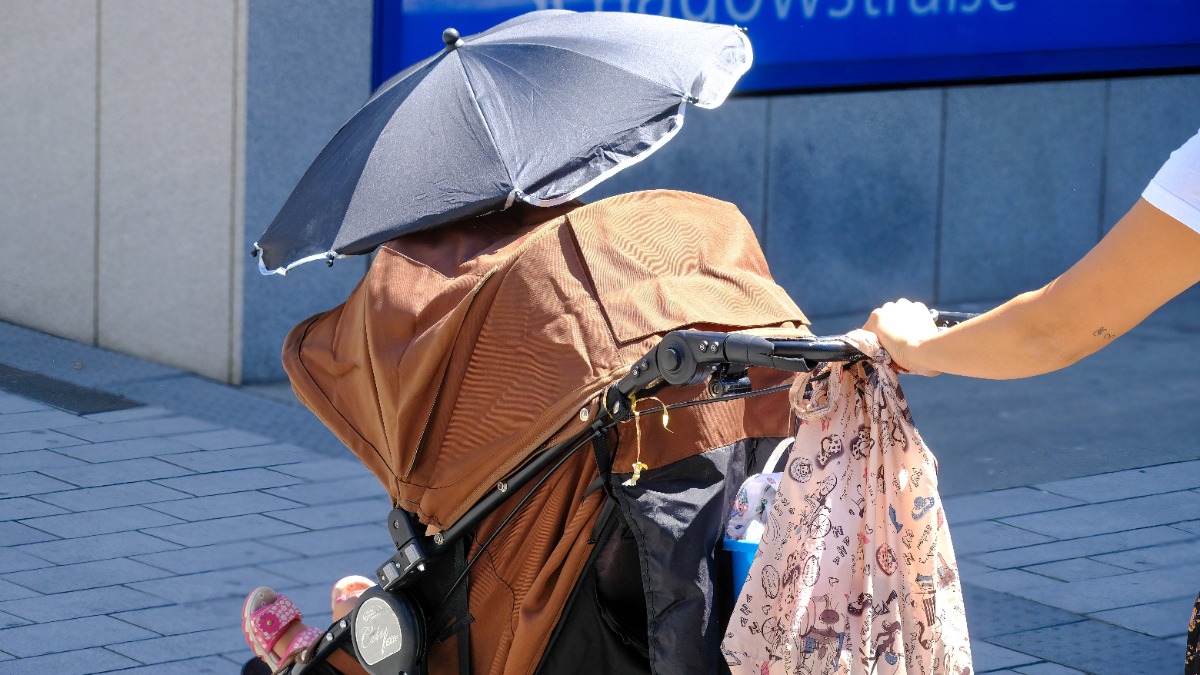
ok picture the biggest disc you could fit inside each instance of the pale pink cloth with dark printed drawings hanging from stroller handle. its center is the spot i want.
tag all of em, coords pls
(855, 574)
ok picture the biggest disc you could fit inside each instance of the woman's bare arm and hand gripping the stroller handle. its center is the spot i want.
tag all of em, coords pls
(1143, 262)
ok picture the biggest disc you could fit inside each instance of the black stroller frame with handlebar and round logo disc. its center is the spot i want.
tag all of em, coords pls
(388, 634)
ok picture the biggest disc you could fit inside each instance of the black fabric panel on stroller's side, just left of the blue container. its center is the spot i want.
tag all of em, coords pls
(677, 515)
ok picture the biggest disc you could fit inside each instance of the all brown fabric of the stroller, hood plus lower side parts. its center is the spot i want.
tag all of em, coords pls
(465, 350)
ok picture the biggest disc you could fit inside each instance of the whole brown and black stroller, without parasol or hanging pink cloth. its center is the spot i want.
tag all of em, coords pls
(562, 404)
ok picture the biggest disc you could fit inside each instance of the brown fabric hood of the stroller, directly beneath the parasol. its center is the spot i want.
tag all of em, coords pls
(465, 350)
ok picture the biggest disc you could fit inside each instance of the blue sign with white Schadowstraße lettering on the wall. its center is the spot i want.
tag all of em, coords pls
(837, 44)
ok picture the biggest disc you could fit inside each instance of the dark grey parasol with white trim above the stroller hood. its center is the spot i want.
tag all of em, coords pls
(539, 109)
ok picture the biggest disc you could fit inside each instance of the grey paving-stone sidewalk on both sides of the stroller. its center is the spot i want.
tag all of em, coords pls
(129, 539)
